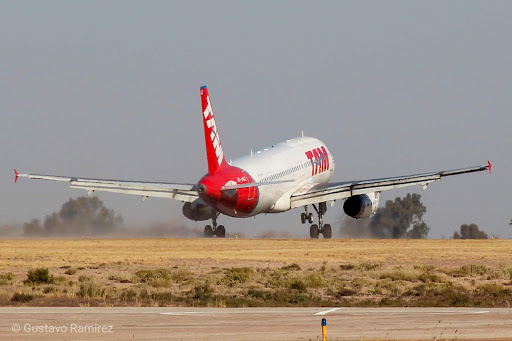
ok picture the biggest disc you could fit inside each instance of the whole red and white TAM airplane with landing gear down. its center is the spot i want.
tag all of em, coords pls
(292, 174)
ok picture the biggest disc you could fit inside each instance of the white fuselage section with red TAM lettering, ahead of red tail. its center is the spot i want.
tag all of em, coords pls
(299, 162)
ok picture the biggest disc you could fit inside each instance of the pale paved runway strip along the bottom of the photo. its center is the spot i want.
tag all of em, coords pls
(254, 323)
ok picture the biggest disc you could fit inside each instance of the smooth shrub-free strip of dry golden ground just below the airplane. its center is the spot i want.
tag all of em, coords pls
(20, 254)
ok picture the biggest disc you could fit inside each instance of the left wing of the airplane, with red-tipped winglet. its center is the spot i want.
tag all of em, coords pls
(182, 192)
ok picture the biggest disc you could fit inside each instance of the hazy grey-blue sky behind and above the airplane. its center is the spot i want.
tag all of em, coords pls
(110, 89)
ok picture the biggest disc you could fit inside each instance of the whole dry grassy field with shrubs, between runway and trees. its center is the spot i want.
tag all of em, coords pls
(248, 272)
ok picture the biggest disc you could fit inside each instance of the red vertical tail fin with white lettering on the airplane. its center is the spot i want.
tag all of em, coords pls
(214, 152)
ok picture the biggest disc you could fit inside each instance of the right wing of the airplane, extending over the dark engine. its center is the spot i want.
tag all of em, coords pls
(317, 193)
